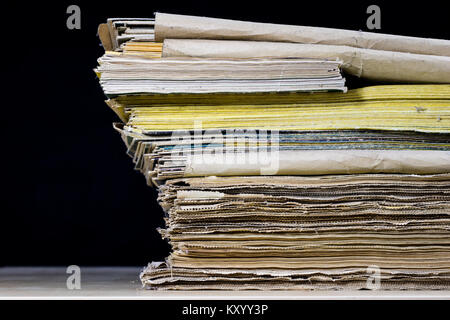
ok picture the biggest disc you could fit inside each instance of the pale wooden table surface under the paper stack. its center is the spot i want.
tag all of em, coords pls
(124, 283)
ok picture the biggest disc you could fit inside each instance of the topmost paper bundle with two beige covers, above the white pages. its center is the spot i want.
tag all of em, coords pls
(368, 55)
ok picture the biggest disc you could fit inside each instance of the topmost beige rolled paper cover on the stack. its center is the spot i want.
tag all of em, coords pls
(172, 26)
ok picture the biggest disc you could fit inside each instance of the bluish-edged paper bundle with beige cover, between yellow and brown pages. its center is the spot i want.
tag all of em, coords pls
(173, 155)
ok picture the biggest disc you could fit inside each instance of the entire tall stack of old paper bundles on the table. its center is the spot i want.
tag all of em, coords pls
(271, 174)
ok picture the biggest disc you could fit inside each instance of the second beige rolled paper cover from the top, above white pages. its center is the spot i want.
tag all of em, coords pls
(366, 63)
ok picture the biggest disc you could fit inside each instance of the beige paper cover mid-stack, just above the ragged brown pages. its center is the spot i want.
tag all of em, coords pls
(319, 162)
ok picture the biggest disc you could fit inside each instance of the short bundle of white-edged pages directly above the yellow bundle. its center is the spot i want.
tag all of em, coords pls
(123, 74)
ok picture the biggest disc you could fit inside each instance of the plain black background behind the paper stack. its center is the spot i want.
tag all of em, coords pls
(70, 194)
